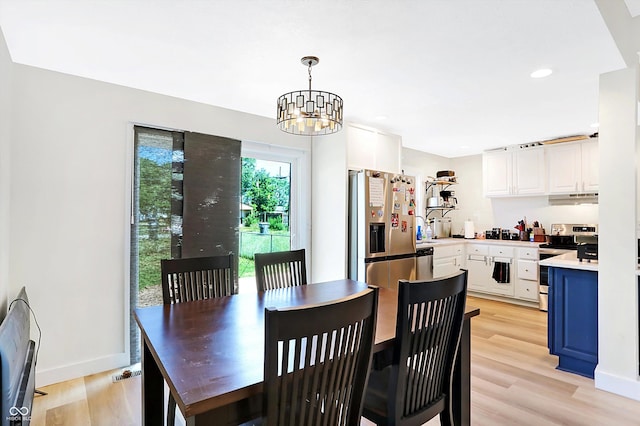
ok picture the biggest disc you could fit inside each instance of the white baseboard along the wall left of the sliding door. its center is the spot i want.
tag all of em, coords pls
(81, 369)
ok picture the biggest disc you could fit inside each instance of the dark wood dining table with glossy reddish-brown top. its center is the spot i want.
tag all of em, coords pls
(210, 352)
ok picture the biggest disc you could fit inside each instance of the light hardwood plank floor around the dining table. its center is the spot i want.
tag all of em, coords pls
(513, 382)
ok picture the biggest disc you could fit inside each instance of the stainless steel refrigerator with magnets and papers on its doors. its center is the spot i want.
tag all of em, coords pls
(382, 233)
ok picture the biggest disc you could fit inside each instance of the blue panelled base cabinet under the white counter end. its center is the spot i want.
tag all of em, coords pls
(573, 319)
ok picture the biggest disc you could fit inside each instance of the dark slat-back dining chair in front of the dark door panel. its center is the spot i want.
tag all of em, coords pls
(195, 278)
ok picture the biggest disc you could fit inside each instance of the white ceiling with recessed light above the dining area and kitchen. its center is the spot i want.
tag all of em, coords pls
(449, 76)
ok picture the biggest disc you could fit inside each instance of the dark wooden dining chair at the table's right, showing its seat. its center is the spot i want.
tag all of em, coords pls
(417, 385)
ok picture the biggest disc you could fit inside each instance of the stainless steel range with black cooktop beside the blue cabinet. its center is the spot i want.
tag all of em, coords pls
(564, 238)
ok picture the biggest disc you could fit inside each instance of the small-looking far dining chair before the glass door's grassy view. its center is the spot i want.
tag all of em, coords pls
(280, 269)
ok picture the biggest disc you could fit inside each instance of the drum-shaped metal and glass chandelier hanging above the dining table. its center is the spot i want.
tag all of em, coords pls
(309, 112)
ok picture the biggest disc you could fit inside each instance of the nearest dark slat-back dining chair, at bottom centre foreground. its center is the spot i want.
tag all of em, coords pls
(316, 361)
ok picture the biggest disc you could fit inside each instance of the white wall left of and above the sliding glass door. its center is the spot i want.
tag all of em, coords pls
(70, 181)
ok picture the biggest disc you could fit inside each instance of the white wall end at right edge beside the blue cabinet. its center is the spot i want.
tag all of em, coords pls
(618, 339)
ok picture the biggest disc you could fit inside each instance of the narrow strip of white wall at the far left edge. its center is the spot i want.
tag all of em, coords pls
(5, 154)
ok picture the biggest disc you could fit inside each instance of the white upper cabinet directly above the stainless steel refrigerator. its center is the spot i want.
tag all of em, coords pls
(371, 149)
